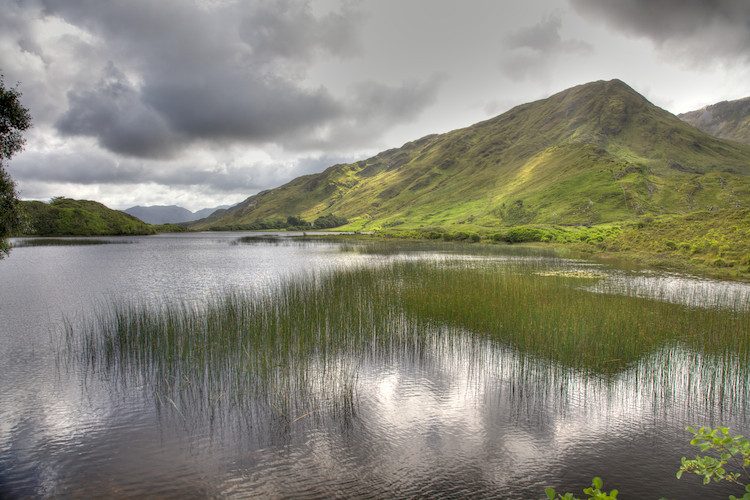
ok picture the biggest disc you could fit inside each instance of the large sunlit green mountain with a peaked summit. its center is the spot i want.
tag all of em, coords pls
(595, 153)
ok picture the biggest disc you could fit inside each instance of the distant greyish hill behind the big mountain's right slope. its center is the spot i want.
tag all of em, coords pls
(726, 119)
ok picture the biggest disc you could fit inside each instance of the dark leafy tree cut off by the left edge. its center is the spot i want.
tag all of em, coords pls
(14, 120)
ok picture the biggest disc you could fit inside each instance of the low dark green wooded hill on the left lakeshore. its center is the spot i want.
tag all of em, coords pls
(66, 217)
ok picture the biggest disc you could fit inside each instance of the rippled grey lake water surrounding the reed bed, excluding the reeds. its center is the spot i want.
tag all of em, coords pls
(455, 415)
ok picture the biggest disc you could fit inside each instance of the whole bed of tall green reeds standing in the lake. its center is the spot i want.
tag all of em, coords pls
(299, 349)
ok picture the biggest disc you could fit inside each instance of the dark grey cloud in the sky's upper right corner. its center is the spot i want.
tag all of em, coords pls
(700, 31)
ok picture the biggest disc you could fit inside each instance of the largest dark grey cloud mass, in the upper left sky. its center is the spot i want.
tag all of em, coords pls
(179, 74)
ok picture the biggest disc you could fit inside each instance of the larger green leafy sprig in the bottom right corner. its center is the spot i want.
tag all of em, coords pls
(727, 451)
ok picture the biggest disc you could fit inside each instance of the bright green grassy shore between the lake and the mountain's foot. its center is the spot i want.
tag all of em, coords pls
(709, 243)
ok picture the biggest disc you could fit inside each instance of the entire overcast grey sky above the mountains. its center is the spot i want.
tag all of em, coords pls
(200, 103)
